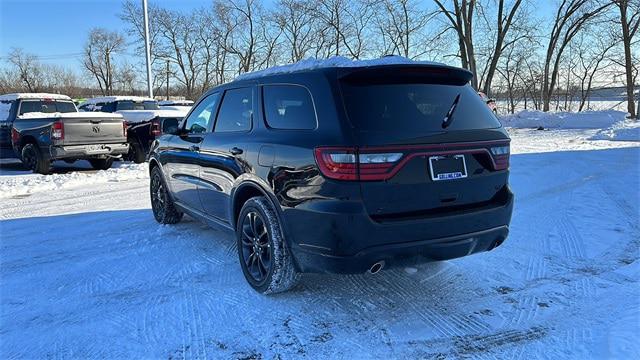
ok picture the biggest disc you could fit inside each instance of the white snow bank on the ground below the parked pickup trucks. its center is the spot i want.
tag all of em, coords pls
(11, 186)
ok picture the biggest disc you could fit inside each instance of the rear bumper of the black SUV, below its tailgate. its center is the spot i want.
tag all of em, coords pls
(350, 242)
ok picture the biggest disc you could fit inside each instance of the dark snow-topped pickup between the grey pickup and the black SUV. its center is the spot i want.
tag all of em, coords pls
(144, 118)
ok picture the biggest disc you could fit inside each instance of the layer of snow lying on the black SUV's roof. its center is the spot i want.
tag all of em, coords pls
(335, 61)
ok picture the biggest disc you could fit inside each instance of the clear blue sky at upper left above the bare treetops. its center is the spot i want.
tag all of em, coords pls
(56, 30)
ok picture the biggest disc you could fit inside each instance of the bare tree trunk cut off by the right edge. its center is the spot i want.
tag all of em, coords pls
(629, 21)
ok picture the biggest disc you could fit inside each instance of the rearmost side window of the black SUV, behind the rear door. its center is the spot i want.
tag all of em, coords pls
(288, 107)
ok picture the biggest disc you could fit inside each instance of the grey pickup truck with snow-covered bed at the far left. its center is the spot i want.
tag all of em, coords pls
(41, 128)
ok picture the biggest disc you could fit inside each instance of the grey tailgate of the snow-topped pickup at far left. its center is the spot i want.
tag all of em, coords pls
(92, 128)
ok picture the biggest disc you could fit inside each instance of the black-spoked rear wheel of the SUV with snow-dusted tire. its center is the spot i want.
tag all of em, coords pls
(265, 260)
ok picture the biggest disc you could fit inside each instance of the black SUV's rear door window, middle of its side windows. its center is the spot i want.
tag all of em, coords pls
(236, 111)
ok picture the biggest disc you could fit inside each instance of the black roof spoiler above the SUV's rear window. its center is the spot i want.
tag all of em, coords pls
(405, 74)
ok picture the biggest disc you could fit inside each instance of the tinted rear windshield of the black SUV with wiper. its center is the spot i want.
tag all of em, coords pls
(413, 110)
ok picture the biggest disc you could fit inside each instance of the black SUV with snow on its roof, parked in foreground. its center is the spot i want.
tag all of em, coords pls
(339, 169)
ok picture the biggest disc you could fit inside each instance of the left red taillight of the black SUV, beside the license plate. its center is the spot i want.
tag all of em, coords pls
(351, 164)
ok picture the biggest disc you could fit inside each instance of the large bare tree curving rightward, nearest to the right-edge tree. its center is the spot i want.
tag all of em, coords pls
(570, 17)
